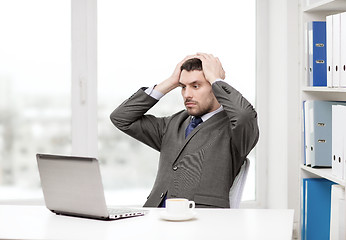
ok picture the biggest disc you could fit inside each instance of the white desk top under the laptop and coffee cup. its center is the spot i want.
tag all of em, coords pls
(37, 222)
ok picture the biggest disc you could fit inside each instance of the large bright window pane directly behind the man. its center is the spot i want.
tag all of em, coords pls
(139, 44)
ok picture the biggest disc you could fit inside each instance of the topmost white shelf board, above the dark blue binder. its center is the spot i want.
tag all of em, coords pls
(327, 5)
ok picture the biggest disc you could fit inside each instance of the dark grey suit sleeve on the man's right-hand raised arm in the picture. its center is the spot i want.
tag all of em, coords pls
(242, 116)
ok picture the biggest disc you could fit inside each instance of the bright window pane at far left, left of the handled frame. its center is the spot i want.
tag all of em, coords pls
(34, 89)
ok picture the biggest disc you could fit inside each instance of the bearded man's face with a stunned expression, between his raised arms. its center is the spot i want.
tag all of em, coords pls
(199, 98)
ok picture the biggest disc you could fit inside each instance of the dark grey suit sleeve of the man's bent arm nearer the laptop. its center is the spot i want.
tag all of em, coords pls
(131, 119)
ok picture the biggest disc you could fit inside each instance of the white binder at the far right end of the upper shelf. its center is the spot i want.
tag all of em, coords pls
(343, 50)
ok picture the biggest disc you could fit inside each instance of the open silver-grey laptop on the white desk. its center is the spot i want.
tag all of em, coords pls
(73, 186)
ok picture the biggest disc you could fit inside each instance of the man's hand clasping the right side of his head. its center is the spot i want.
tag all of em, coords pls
(212, 67)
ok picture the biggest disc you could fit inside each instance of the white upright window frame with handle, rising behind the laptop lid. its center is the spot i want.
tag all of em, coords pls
(84, 77)
